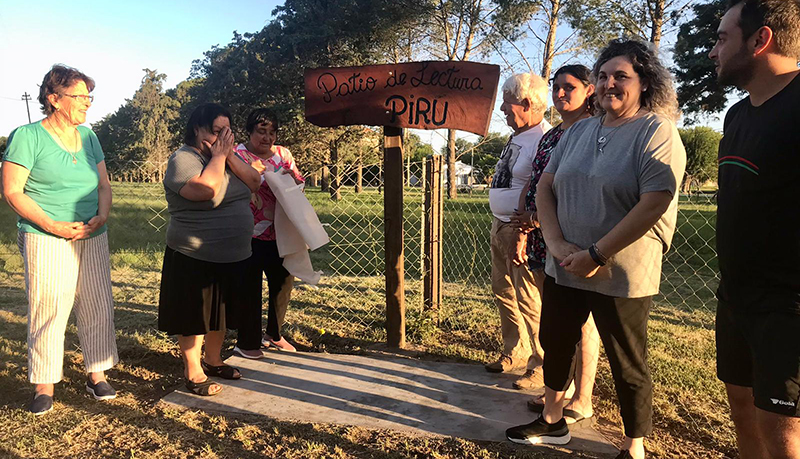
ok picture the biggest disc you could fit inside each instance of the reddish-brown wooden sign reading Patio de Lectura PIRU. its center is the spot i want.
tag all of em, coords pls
(420, 95)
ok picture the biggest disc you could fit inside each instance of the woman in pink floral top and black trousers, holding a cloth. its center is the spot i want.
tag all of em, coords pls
(262, 153)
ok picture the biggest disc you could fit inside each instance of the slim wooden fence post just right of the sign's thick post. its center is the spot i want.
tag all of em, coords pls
(432, 234)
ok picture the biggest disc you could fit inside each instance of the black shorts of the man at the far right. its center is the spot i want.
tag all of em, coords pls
(762, 351)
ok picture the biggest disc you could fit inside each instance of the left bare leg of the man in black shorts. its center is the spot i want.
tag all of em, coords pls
(743, 414)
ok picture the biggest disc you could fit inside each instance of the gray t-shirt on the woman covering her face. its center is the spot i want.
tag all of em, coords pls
(218, 230)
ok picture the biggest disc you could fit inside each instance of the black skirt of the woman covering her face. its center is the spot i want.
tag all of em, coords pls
(198, 296)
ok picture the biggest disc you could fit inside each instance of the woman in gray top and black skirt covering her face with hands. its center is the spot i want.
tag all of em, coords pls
(208, 191)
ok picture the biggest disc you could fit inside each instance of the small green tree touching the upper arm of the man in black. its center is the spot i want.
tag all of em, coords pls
(702, 148)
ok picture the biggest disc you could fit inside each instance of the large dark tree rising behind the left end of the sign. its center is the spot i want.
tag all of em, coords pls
(266, 68)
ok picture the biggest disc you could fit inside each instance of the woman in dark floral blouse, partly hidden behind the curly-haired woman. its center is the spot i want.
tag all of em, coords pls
(573, 97)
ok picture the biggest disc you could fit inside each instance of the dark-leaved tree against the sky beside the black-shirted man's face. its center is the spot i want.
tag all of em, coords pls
(699, 91)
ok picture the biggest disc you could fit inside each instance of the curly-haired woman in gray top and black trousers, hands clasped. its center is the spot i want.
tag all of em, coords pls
(607, 204)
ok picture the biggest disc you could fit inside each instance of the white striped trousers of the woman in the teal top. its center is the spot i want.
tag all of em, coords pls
(60, 274)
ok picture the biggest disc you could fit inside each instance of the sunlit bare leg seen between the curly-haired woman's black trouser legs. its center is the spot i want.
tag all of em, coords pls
(587, 357)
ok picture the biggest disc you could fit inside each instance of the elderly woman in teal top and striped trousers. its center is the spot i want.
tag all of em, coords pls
(54, 178)
